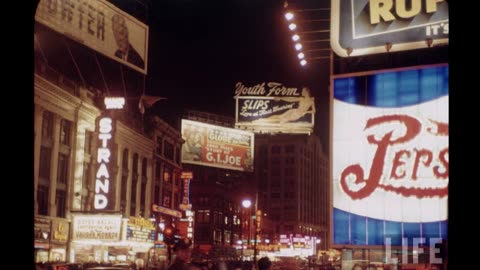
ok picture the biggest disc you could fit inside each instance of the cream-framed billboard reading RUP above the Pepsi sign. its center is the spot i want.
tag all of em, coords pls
(361, 27)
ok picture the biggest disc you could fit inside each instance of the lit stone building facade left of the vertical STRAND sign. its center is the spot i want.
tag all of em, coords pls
(64, 121)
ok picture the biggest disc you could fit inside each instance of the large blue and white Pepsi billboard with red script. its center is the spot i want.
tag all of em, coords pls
(390, 156)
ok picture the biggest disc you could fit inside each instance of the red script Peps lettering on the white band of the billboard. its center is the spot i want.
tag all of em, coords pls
(413, 129)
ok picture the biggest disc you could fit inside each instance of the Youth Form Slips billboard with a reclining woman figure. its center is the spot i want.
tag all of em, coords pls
(274, 108)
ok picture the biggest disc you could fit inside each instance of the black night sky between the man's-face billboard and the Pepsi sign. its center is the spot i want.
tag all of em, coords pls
(200, 49)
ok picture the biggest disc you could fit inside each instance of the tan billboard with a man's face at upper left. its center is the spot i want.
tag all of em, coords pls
(99, 25)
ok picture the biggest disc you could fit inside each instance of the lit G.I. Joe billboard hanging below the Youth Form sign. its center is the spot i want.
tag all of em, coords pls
(215, 146)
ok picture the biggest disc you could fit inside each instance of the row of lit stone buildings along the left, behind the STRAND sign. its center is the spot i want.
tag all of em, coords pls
(143, 169)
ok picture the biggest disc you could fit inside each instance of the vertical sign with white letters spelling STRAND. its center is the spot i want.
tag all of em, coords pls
(104, 192)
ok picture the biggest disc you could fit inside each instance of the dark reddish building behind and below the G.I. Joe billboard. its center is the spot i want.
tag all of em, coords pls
(216, 195)
